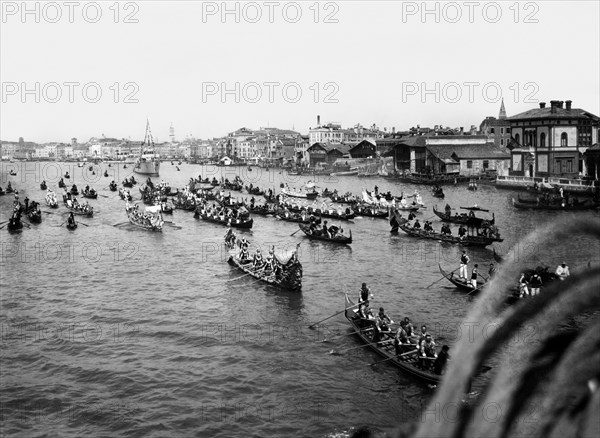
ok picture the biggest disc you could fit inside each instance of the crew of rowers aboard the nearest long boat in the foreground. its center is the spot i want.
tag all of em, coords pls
(406, 340)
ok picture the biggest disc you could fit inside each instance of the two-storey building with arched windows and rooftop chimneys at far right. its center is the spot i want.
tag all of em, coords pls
(551, 141)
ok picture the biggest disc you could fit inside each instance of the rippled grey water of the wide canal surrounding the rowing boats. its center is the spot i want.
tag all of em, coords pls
(111, 330)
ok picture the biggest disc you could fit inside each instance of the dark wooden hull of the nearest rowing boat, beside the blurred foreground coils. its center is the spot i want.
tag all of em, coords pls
(364, 328)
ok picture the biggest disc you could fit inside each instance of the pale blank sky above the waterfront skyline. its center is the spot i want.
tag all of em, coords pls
(84, 69)
